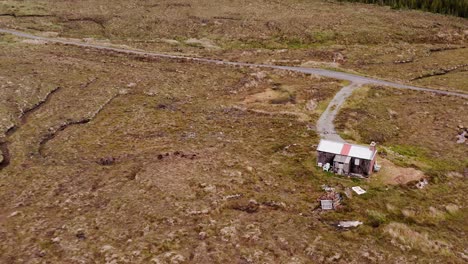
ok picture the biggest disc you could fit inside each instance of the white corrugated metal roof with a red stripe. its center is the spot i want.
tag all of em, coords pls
(340, 148)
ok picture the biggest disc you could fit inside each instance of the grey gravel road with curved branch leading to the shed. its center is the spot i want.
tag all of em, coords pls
(325, 124)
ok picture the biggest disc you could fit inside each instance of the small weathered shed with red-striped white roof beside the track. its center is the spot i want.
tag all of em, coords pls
(347, 159)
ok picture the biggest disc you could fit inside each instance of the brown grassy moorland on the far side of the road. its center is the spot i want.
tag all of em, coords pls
(368, 39)
